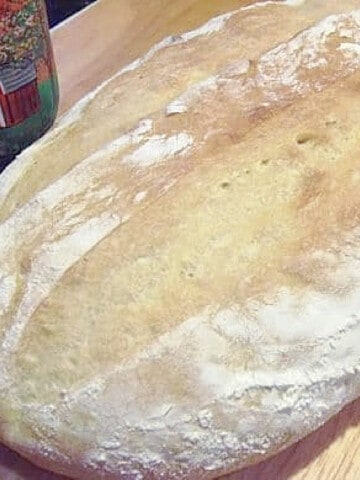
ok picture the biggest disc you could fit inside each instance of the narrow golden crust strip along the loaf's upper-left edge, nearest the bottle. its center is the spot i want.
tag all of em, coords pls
(130, 97)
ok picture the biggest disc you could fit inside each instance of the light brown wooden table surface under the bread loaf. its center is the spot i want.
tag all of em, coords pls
(109, 34)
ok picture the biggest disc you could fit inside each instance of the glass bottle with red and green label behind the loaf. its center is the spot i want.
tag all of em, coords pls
(29, 92)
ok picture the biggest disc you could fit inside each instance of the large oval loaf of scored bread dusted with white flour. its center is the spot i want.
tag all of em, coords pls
(180, 255)
